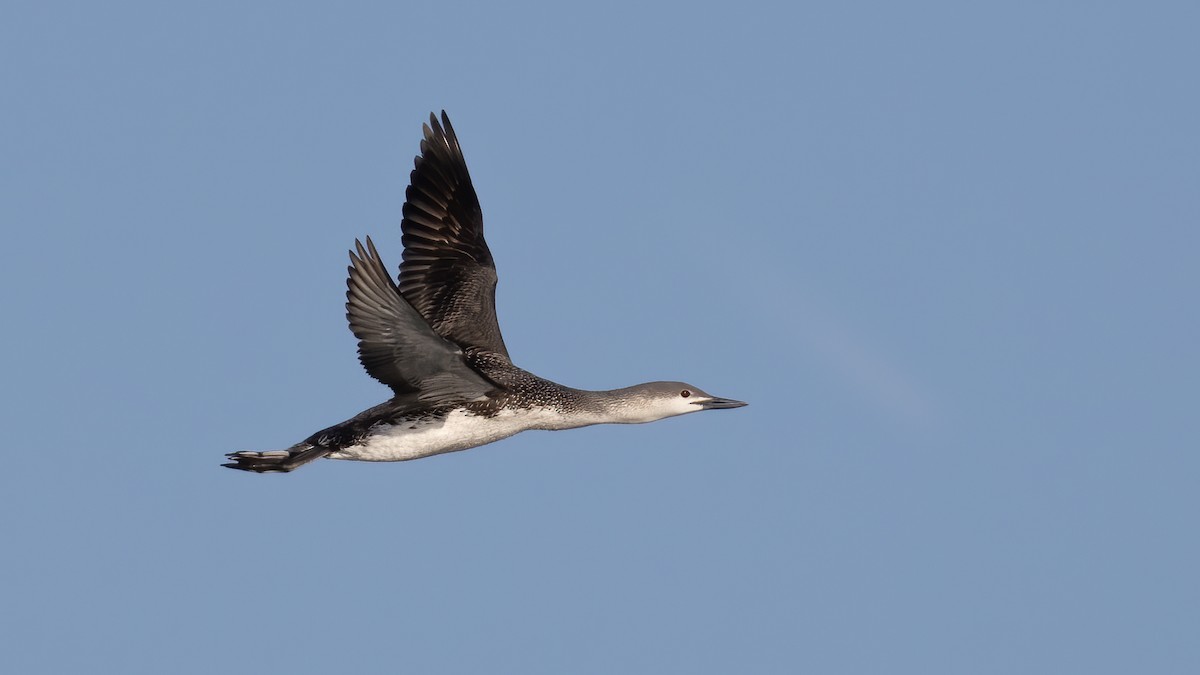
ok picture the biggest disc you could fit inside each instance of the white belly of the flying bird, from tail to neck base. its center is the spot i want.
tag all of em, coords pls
(458, 432)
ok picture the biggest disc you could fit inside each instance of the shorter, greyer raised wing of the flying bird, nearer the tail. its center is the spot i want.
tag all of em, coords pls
(397, 347)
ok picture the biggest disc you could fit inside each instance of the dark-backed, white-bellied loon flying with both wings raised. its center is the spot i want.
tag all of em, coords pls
(435, 341)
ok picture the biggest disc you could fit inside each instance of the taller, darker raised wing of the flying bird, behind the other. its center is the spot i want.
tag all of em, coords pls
(448, 273)
